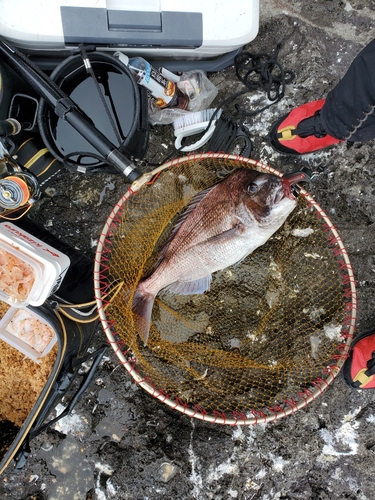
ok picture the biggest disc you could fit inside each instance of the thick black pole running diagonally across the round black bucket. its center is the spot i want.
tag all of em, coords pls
(67, 110)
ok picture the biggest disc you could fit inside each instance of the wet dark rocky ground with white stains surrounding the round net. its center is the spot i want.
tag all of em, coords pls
(121, 443)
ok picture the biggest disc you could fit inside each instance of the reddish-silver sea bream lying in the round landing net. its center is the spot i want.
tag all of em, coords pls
(220, 227)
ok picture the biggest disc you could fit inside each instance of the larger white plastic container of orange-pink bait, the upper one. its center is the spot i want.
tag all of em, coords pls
(30, 270)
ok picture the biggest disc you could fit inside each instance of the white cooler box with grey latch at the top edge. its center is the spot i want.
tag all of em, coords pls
(155, 29)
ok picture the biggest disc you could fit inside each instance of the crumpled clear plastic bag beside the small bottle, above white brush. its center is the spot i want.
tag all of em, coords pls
(197, 87)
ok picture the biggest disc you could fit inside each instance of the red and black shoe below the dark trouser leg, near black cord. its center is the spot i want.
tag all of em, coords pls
(301, 131)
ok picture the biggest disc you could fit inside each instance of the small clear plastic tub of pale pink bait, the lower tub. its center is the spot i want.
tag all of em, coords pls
(28, 332)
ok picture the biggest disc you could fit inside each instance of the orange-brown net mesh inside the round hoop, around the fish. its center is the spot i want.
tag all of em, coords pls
(269, 327)
